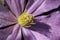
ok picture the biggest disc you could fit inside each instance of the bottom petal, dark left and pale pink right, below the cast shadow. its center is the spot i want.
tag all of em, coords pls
(32, 35)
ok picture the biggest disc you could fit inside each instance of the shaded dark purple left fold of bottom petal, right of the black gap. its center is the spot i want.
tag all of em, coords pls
(27, 34)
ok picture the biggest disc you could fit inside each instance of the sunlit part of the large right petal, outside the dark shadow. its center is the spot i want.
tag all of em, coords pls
(53, 20)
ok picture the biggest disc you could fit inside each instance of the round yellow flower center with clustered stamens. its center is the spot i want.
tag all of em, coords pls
(25, 19)
